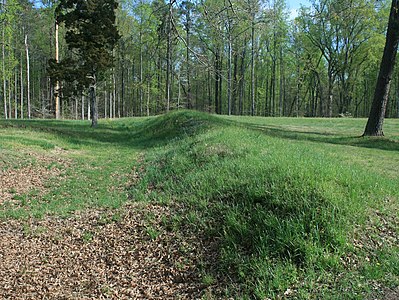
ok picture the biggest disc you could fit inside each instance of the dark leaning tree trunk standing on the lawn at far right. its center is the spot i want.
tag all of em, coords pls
(381, 94)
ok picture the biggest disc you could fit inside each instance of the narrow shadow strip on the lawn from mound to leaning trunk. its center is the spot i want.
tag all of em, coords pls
(381, 143)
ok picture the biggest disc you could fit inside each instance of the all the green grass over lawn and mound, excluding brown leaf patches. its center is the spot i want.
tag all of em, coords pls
(299, 207)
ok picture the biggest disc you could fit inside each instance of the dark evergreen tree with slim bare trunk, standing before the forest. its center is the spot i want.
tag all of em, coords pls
(91, 36)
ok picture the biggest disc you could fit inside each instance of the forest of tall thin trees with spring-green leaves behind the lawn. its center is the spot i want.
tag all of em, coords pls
(251, 57)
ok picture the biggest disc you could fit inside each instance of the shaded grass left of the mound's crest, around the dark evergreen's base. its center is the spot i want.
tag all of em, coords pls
(130, 133)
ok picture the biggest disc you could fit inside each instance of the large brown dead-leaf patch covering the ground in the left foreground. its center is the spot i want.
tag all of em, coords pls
(124, 254)
